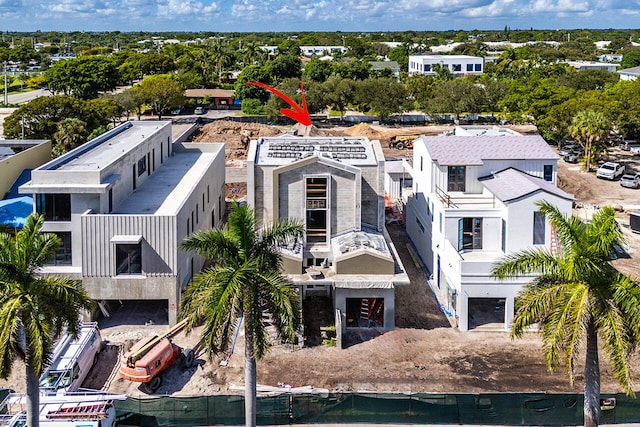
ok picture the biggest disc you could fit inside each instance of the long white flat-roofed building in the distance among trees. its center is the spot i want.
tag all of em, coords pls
(457, 65)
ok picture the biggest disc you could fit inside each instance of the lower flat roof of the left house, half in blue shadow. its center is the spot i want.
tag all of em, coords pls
(167, 189)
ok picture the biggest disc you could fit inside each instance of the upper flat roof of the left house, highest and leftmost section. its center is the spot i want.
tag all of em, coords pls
(101, 151)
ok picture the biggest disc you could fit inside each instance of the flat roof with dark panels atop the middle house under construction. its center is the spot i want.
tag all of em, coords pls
(283, 150)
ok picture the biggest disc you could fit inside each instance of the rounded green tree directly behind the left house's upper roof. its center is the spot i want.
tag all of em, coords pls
(163, 92)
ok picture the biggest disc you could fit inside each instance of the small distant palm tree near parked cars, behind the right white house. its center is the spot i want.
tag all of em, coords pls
(590, 128)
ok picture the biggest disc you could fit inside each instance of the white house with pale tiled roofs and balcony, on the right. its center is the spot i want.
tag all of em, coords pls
(474, 202)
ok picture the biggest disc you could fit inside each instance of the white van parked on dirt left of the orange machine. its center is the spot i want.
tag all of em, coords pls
(72, 360)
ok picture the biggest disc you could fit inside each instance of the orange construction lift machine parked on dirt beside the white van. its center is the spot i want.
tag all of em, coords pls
(149, 357)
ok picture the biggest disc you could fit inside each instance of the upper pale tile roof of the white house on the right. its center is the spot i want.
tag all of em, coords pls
(473, 150)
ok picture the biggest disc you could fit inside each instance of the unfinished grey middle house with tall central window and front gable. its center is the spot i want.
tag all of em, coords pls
(335, 185)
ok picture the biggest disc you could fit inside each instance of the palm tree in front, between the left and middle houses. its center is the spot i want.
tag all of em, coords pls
(244, 280)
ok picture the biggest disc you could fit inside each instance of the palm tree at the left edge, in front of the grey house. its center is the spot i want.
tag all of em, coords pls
(34, 309)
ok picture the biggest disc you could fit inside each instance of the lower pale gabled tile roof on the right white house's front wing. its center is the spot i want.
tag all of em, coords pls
(511, 184)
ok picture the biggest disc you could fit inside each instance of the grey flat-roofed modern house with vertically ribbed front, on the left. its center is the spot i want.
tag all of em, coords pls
(121, 203)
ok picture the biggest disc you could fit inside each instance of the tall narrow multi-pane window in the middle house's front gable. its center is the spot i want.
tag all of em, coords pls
(317, 209)
